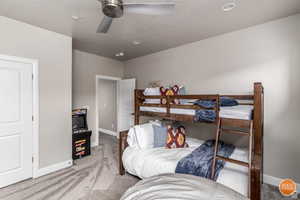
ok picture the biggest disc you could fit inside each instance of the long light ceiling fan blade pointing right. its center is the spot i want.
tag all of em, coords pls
(150, 8)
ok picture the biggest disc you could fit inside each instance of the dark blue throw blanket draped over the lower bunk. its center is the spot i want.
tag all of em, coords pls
(199, 162)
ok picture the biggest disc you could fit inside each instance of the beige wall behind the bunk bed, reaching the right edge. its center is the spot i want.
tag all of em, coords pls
(229, 64)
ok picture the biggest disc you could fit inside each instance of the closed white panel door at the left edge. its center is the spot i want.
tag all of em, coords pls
(15, 122)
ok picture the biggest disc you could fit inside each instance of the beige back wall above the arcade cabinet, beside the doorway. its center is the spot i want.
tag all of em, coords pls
(85, 68)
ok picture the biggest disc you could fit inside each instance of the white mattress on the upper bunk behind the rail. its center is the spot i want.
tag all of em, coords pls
(233, 112)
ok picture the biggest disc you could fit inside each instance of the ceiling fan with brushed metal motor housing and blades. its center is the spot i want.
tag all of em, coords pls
(116, 8)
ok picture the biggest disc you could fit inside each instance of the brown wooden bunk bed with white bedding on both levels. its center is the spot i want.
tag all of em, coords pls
(150, 162)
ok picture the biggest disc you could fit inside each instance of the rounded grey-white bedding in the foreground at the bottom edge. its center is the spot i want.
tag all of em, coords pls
(179, 187)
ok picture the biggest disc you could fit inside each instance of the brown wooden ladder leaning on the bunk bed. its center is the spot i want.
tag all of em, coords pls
(242, 124)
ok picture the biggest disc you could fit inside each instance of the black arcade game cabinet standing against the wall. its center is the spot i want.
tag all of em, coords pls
(81, 138)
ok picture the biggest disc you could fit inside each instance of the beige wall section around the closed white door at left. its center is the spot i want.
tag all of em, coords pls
(54, 53)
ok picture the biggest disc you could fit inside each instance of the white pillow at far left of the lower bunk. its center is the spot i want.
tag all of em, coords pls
(141, 136)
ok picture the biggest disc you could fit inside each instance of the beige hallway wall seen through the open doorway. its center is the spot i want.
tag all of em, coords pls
(107, 104)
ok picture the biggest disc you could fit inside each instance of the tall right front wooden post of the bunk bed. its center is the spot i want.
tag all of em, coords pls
(257, 159)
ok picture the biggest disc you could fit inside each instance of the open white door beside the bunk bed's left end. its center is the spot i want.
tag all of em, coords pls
(125, 104)
